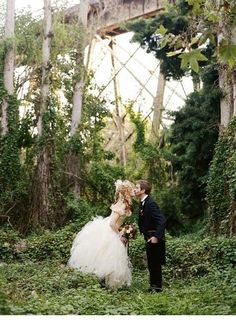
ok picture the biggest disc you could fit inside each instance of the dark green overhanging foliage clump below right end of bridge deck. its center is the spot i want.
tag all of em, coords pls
(151, 33)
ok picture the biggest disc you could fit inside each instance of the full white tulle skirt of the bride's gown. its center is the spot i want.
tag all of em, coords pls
(98, 249)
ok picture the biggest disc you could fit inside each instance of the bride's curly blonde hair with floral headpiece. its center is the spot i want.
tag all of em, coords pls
(123, 192)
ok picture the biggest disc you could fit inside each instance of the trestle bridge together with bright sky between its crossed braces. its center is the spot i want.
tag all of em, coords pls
(105, 21)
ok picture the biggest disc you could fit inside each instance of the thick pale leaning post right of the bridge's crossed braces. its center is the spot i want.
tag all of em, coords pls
(158, 108)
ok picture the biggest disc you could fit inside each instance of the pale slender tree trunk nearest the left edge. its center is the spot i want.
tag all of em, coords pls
(9, 62)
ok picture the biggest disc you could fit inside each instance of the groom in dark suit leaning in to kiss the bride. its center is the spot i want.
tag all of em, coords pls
(152, 225)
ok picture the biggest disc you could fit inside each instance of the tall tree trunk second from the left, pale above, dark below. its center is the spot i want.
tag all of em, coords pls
(41, 181)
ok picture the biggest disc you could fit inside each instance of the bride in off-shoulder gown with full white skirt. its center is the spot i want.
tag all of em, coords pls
(99, 249)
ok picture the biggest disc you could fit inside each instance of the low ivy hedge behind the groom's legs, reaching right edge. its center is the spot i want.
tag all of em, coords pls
(189, 256)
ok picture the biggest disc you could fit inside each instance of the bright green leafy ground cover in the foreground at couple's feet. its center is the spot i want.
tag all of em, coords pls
(49, 287)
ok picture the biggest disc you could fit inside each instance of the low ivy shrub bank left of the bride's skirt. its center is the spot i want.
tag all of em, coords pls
(47, 244)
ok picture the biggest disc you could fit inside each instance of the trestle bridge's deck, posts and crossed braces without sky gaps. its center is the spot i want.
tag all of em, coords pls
(105, 20)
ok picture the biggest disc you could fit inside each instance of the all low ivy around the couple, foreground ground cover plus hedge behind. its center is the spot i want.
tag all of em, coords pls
(31, 285)
